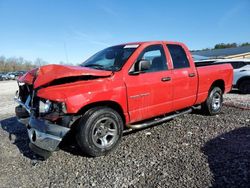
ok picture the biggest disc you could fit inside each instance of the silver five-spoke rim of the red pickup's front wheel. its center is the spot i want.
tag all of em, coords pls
(105, 132)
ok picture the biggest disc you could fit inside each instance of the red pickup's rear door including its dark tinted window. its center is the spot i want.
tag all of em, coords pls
(184, 78)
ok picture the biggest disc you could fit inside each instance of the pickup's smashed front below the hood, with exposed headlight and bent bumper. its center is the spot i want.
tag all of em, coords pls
(45, 120)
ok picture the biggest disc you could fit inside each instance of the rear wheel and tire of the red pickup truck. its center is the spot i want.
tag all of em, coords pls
(213, 104)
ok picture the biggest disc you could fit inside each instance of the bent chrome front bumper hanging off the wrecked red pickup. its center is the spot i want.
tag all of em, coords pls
(42, 133)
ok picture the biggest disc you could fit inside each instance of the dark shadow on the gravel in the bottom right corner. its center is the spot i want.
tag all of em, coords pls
(229, 158)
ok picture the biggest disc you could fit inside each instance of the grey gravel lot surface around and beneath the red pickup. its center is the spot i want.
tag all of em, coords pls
(190, 151)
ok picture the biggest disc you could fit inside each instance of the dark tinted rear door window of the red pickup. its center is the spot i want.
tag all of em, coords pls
(179, 56)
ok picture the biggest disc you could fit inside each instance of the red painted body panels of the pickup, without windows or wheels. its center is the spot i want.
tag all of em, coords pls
(155, 97)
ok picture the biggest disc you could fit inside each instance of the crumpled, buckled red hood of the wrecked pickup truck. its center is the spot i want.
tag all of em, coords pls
(49, 73)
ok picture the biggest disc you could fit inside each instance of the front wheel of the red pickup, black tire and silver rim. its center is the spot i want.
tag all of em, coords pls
(99, 131)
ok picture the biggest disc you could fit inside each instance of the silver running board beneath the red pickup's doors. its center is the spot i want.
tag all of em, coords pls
(156, 121)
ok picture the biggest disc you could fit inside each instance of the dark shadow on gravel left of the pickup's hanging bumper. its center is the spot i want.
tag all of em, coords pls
(18, 136)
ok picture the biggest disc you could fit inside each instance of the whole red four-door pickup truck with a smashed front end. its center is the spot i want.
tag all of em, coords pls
(121, 88)
